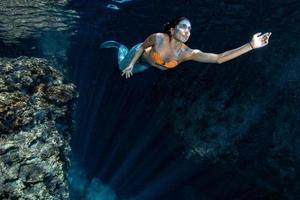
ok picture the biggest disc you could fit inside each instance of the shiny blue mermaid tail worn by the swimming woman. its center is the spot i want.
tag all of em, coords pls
(125, 55)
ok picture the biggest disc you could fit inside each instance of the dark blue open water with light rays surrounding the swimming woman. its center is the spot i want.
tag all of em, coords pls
(199, 131)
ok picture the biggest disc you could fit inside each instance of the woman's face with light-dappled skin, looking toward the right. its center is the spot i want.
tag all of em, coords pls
(182, 31)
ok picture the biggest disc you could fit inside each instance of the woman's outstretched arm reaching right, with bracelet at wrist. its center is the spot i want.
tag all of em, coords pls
(256, 42)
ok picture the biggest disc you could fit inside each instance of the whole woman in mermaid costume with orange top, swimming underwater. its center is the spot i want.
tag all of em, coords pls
(166, 50)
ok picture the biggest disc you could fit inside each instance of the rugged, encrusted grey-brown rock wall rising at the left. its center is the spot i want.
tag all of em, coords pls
(35, 126)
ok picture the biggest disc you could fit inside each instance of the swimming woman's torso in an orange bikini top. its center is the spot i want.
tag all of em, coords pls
(162, 56)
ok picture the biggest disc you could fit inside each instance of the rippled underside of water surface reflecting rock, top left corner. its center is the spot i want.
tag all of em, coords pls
(21, 19)
